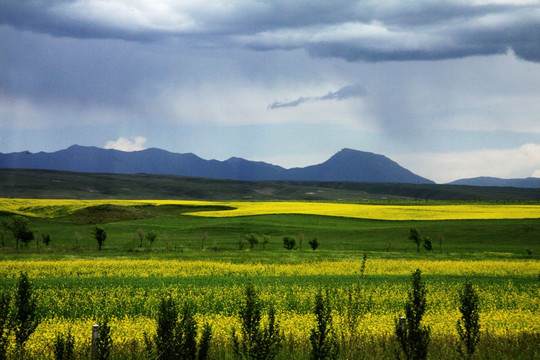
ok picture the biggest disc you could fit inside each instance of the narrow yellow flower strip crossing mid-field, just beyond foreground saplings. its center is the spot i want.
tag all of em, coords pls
(196, 268)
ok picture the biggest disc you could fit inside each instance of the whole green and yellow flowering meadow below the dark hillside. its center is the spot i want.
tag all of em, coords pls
(201, 256)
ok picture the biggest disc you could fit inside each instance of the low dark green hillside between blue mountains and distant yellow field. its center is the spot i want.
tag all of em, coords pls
(46, 184)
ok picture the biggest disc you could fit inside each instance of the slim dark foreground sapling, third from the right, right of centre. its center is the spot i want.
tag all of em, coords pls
(323, 344)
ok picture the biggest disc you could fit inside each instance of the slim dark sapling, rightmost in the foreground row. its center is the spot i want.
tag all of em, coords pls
(468, 326)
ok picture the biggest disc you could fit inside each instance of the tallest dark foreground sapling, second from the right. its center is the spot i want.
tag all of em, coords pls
(412, 335)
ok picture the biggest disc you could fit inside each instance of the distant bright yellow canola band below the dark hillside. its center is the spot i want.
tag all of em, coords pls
(52, 208)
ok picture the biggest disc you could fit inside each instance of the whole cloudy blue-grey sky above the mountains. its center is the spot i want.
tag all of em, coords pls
(448, 89)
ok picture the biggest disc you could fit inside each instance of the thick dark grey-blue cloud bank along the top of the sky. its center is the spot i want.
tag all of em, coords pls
(370, 31)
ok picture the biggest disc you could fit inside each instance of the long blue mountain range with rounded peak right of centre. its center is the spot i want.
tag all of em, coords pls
(346, 165)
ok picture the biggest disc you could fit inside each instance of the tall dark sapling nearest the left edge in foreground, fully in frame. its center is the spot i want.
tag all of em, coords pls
(25, 318)
